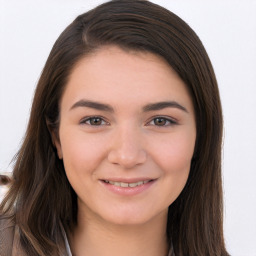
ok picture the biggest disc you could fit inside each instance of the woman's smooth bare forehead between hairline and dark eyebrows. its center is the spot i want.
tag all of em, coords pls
(115, 76)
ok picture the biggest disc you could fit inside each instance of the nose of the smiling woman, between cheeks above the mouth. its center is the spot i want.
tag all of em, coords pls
(126, 149)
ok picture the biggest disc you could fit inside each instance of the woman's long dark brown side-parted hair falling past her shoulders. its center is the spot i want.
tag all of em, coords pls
(41, 200)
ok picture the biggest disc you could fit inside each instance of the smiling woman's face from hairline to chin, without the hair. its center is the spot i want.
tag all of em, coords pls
(127, 135)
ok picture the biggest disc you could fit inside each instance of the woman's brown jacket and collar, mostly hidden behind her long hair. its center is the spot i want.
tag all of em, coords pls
(10, 242)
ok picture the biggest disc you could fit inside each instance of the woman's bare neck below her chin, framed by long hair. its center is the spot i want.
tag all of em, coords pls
(108, 239)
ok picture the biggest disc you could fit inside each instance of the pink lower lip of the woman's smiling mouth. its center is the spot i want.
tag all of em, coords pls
(128, 191)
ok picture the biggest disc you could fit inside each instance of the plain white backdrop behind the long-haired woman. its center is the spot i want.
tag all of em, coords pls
(28, 29)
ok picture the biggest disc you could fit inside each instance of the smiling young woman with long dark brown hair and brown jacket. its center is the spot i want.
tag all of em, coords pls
(122, 153)
